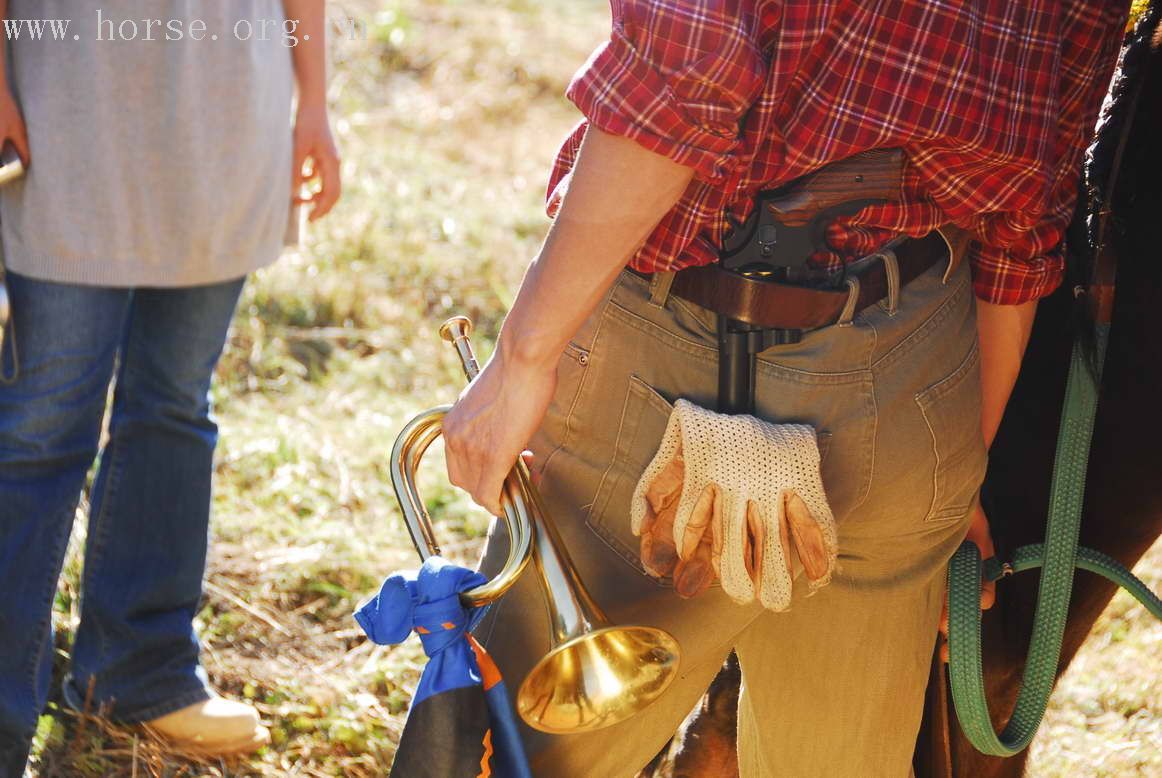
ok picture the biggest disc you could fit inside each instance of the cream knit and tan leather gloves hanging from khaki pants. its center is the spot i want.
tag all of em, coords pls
(738, 499)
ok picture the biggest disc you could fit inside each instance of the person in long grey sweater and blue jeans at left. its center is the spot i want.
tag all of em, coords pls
(162, 167)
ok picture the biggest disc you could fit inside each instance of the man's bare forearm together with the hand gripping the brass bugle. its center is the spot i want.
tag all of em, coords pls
(619, 193)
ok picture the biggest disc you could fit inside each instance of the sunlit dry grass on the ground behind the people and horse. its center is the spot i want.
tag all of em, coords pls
(448, 117)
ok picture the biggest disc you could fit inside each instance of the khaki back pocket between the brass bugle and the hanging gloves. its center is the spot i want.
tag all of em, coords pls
(645, 414)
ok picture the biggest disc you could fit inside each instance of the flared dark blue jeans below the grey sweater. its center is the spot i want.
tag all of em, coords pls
(135, 651)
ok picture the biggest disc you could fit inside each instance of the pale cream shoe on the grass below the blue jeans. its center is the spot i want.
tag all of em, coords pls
(214, 726)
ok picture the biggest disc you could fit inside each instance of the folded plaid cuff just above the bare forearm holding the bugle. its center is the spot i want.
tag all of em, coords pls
(622, 93)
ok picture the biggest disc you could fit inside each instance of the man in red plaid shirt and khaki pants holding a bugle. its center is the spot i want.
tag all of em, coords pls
(691, 109)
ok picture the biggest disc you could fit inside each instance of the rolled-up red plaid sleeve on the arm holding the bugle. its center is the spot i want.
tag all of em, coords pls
(677, 78)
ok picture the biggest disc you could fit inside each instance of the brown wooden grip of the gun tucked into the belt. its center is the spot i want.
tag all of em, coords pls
(870, 176)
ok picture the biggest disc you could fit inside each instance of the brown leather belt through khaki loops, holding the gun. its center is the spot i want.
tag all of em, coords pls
(786, 307)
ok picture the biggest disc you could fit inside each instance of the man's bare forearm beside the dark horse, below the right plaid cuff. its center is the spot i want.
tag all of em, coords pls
(1005, 333)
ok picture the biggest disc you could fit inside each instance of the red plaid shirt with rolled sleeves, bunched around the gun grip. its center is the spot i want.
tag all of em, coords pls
(994, 103)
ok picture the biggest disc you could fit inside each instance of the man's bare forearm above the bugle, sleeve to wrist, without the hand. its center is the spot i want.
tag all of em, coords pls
(619, 193)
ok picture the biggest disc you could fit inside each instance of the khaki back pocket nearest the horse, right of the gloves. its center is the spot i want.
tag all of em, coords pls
(952, 412)
